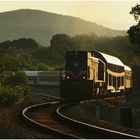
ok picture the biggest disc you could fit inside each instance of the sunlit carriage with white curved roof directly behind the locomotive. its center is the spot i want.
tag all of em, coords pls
(114, 72)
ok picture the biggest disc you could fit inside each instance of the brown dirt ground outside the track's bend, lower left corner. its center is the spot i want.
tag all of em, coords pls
(11, 125)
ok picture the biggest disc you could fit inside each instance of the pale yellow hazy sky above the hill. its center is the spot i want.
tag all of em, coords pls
(112, 14)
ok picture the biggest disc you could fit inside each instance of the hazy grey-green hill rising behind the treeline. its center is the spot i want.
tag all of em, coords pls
(41, 26)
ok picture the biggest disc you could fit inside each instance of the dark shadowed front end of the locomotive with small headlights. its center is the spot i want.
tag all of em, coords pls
(75, 85)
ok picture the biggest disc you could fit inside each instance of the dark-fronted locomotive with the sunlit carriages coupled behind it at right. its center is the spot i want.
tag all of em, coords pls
(91, 74)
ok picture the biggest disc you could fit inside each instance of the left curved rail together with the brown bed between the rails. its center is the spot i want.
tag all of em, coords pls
(41, 117)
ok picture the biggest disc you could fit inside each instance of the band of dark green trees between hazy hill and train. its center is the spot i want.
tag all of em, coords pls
(27, 54)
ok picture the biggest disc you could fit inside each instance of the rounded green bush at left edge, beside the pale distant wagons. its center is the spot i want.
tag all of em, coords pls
(13, 89)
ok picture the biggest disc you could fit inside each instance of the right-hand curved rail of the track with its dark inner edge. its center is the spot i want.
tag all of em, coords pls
(99, 131)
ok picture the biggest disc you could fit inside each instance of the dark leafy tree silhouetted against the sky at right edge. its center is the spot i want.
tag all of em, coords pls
(134, 31)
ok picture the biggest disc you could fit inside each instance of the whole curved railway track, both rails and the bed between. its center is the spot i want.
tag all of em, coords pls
(43, 118)
